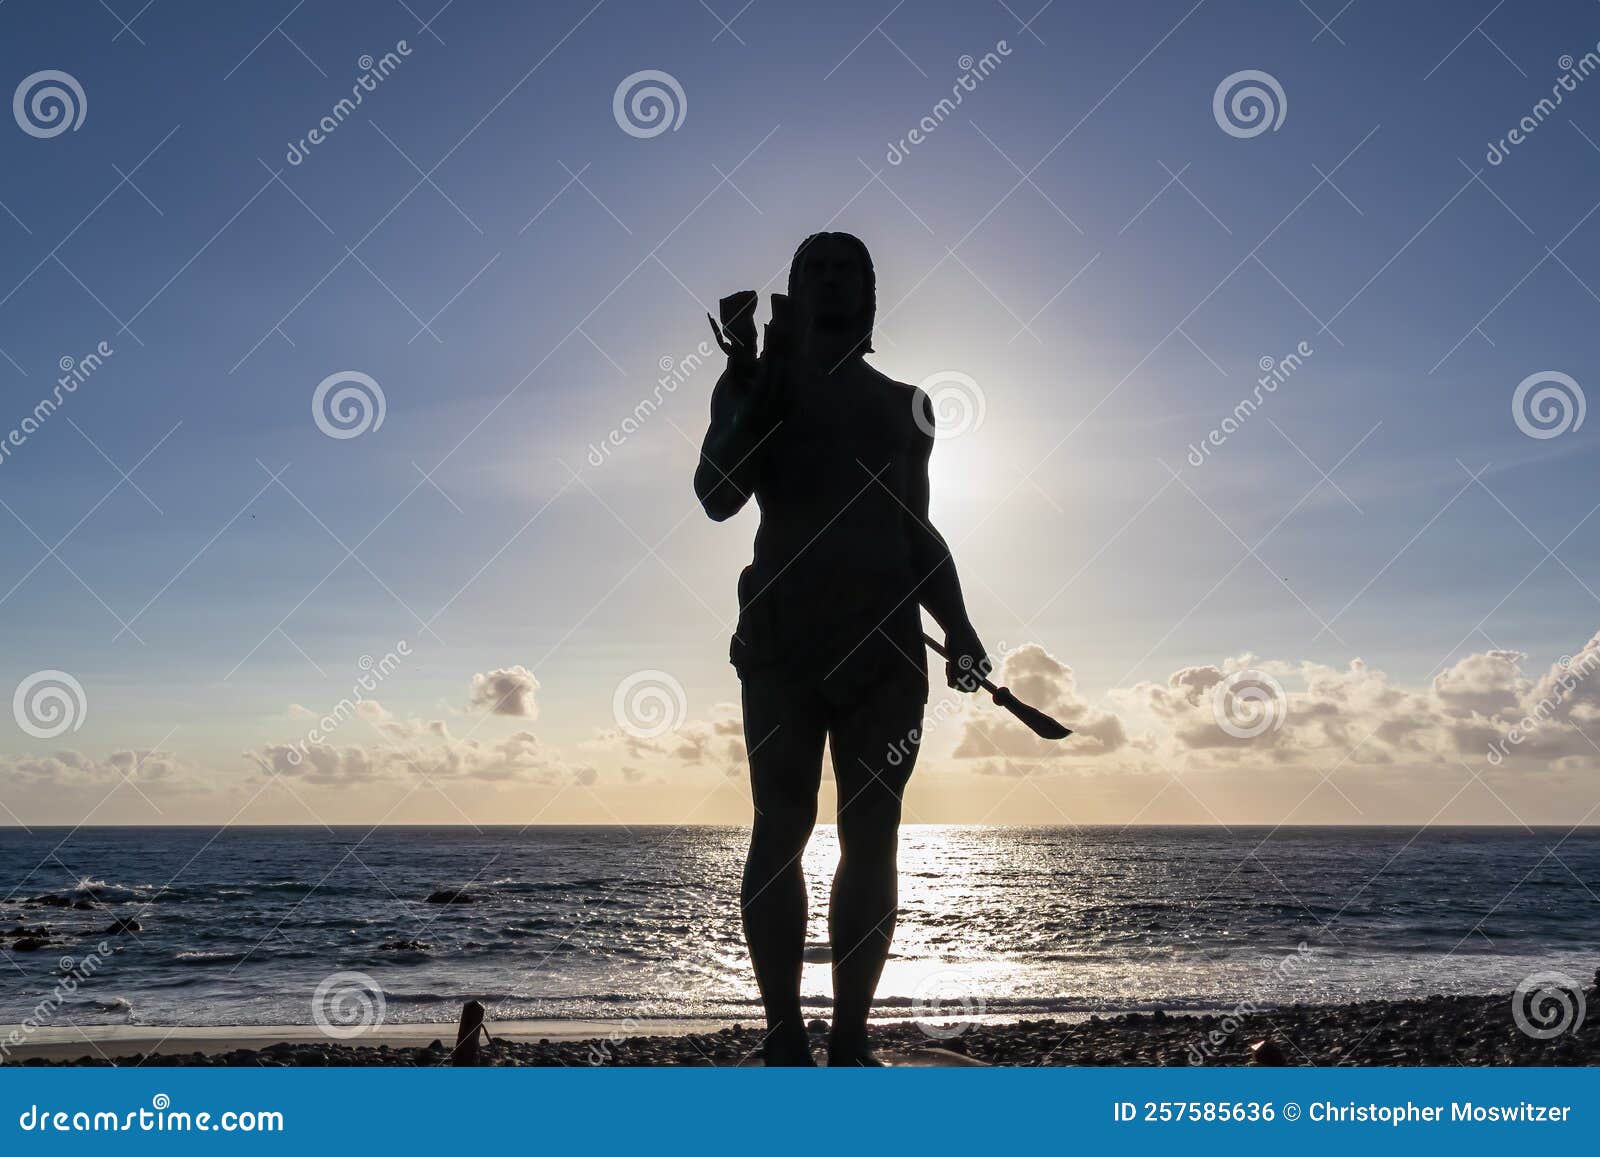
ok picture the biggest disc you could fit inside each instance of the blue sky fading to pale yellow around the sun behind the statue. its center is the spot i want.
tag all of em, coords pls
(369, 497)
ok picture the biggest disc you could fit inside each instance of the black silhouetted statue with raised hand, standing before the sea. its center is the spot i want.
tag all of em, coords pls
(830, 638)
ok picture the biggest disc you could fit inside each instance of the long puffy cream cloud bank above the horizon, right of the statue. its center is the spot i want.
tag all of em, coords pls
(1319, 718)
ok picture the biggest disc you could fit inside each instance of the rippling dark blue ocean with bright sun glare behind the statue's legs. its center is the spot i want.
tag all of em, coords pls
(241, 926)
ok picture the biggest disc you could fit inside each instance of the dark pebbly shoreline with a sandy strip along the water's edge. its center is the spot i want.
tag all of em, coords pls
(1441, 1031)
